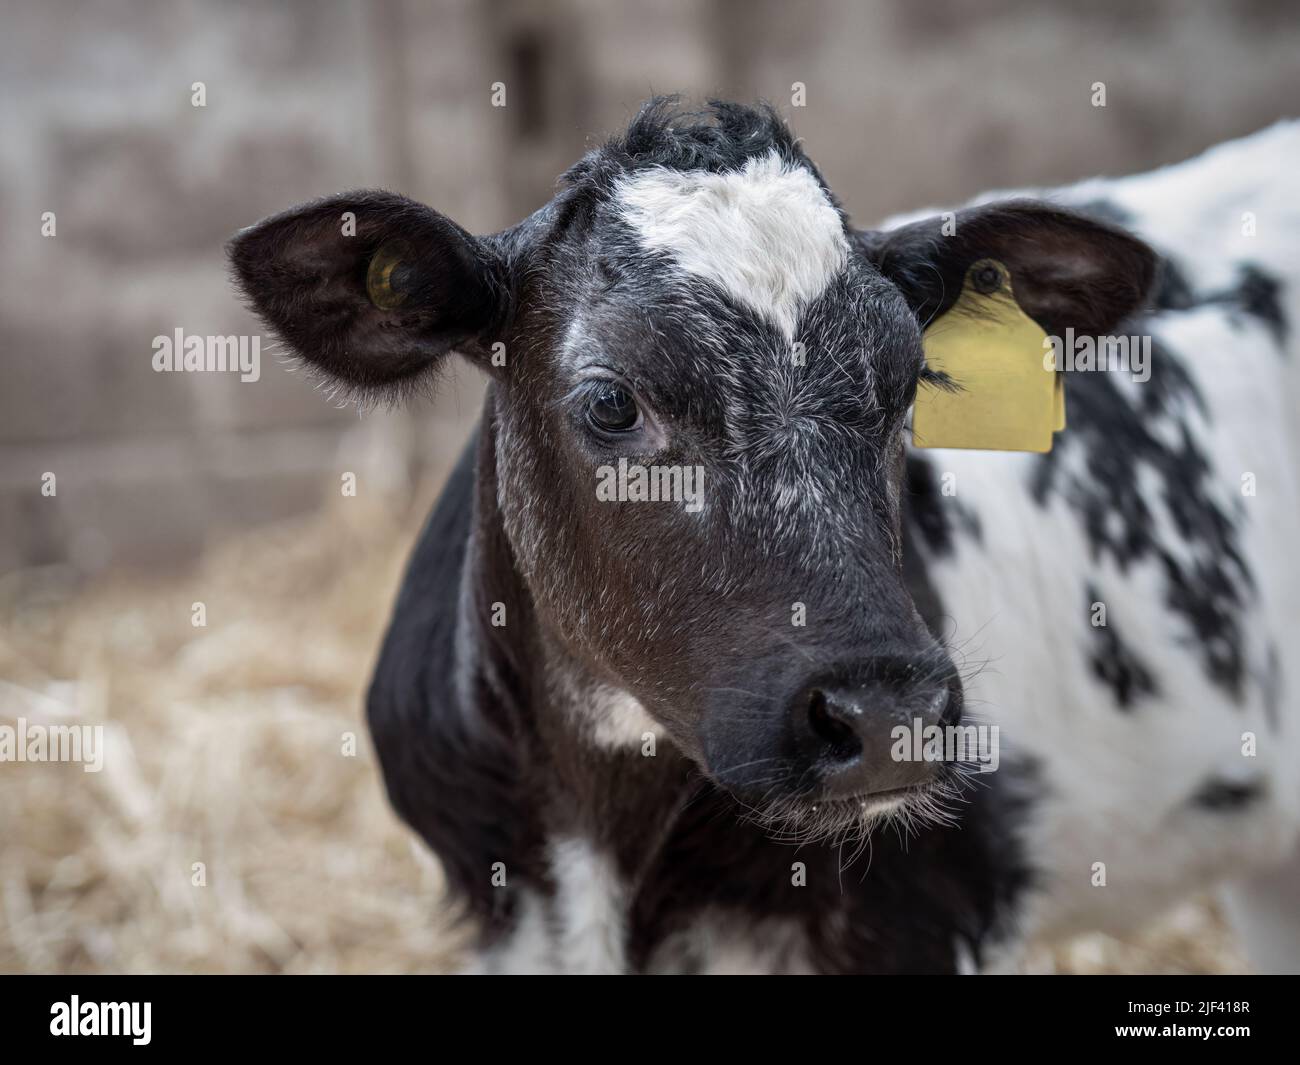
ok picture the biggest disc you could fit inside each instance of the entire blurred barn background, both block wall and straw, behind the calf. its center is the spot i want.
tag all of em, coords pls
(228, 744)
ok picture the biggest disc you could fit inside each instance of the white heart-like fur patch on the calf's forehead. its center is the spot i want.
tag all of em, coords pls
(768, 235)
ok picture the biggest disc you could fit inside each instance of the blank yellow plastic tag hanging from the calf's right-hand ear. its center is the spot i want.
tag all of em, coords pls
(1007, 401)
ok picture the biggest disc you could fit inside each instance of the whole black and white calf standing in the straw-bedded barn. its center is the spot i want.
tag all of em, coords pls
(656, 737)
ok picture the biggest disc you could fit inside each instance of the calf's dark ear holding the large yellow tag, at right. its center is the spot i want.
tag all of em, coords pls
(1068, 271)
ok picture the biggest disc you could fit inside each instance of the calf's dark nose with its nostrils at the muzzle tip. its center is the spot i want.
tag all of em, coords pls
(847, 730)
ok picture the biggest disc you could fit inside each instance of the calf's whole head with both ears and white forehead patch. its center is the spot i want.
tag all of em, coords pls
(694, 310)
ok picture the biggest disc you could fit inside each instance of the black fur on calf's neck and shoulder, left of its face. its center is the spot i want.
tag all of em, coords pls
(454, 768)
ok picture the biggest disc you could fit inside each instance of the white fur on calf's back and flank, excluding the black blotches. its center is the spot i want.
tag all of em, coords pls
(1119, 785)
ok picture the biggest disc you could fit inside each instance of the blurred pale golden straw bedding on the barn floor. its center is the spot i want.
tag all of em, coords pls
(227, 746)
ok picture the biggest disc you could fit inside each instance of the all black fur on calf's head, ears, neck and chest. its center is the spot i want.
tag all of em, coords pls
(482, 743)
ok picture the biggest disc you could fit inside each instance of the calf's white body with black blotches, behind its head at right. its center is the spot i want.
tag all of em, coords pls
(1167, 741)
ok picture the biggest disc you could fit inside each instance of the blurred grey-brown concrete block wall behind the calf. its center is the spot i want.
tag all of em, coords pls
(907, 105)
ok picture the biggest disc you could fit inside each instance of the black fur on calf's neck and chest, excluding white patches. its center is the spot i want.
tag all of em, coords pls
(474, 777)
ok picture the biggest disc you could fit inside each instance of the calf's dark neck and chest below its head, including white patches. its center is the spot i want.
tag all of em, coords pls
(500, 752)
